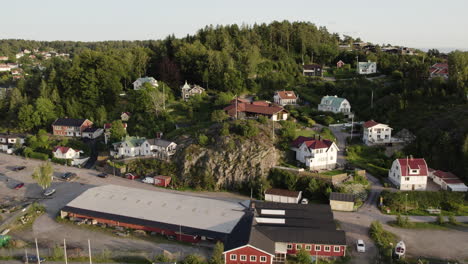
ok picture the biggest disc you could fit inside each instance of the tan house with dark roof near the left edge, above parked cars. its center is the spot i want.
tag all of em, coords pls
(70, 127)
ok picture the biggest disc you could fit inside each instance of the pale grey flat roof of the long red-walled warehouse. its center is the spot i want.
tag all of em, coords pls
(163, 207)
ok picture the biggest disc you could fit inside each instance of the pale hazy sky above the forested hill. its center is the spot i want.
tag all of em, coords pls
(413, 23)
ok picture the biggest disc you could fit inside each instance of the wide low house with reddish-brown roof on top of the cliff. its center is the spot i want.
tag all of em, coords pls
(243, 109)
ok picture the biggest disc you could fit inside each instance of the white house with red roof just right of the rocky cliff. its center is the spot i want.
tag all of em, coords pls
(317, 154)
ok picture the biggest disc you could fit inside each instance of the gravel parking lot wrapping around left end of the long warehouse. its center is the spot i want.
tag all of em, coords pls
(49, 232)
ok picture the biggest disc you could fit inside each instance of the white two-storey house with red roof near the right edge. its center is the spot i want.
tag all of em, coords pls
(409, 174)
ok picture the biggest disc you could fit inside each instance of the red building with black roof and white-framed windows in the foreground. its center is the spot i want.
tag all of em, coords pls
(281, 229)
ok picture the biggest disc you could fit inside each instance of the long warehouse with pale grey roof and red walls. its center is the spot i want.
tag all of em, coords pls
(187, 218)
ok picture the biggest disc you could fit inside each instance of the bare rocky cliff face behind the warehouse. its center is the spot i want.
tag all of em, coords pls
(226, 161)
